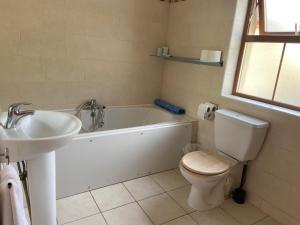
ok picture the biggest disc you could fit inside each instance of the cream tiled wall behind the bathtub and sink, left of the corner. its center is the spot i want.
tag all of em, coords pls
(57, 53)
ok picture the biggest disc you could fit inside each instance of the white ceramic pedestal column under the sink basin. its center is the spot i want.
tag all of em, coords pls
(42, 189)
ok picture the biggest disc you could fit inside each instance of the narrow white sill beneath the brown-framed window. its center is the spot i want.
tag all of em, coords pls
(263, 105)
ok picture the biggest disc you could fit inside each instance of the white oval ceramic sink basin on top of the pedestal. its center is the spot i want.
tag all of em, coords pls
(43, 132)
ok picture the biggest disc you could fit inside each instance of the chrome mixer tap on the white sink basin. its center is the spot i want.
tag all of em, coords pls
(14, 114)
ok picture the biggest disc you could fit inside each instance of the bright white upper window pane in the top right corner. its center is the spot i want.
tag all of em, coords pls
(281, 16)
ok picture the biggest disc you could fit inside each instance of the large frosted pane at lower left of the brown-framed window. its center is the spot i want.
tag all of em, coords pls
(259, 69)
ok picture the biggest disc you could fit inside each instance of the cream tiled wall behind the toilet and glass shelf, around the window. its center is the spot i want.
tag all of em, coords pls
(273, 182)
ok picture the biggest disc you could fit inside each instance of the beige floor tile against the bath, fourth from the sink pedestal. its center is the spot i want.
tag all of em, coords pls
(170, 180)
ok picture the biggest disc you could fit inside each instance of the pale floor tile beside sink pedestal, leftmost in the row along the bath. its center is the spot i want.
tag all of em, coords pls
(75, 207)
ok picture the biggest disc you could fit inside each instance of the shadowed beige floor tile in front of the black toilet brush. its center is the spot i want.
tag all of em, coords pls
(246, 214)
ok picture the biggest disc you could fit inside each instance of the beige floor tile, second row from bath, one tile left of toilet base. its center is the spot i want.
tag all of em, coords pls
(161, 208)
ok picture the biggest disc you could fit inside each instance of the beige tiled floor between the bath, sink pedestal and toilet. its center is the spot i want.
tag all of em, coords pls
(151, 200)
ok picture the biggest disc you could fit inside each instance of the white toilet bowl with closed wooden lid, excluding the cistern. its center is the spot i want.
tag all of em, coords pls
(207, 172)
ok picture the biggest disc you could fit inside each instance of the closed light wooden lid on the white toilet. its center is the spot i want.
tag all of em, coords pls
(206, 163)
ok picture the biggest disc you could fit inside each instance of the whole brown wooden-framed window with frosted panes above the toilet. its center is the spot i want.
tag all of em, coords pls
(269, 61)
